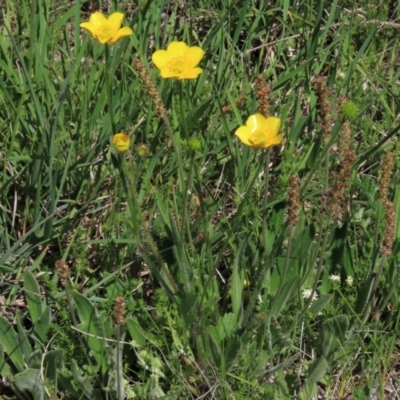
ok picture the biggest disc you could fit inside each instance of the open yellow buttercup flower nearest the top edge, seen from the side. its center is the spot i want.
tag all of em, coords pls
(106, 30)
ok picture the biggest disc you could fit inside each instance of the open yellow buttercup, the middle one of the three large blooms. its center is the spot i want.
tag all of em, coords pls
(179, 61)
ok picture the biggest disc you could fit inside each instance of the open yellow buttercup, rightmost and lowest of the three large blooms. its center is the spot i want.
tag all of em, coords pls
(260, 131)
